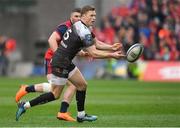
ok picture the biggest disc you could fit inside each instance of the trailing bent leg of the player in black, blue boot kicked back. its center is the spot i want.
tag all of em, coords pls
(57, 81)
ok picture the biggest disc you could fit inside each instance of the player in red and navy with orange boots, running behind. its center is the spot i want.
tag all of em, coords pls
(54, 41)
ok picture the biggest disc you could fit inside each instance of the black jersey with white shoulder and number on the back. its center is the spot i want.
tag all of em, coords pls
(76, 38)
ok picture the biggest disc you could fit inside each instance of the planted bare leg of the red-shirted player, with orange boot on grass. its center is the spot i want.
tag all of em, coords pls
(63, 113)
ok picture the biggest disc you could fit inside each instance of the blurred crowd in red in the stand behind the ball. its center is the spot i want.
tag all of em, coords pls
(154, 23)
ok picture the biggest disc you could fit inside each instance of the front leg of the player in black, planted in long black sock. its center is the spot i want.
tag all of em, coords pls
(78, 80)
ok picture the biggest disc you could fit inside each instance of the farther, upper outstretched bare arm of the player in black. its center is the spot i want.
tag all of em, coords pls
(103, 46)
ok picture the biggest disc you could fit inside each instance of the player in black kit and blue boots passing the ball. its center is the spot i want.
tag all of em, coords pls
(76, 38)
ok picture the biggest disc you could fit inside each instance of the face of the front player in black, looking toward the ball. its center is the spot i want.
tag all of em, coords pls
(90, 18)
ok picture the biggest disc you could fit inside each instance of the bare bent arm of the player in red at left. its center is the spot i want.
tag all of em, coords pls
(53, 41)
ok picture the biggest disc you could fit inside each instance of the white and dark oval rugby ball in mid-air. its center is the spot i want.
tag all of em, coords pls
(134, 52)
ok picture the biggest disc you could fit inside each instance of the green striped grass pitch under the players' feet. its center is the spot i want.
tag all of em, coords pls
(116, 103)
